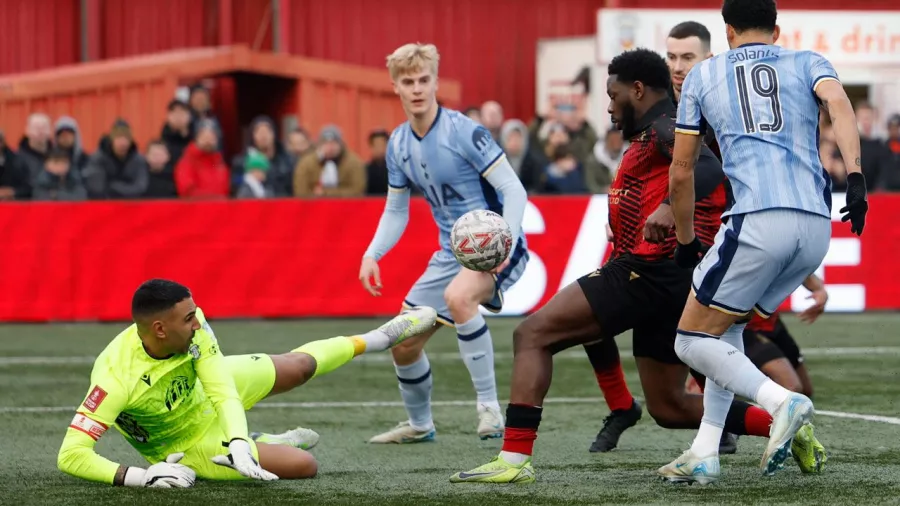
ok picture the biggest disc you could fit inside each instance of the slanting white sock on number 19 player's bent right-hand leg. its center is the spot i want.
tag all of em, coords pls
(720, 362)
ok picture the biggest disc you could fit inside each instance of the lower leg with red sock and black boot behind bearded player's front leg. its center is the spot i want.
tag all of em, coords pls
(625, 411)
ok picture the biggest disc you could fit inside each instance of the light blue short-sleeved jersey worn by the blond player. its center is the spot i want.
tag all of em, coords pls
(449, 165)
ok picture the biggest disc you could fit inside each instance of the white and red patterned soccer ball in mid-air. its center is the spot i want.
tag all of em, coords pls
(481, 240)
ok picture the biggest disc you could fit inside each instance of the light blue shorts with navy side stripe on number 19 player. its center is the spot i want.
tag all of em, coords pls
(758, 259)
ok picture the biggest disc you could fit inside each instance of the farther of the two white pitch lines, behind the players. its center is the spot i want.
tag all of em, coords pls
(453, 356)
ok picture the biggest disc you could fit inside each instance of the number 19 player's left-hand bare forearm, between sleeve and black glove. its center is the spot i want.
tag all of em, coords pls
(681, 184)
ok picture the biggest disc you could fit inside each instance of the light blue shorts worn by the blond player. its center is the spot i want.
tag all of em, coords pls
(443, 267)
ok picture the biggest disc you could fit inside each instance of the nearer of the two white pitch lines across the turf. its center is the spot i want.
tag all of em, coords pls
(398, 404)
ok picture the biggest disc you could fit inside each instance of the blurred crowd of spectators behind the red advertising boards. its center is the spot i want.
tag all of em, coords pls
(555, 153)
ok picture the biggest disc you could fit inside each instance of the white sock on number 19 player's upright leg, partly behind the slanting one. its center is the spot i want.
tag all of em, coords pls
(716, 402)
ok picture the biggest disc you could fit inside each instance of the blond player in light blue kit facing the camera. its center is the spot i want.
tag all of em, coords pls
(459, 168)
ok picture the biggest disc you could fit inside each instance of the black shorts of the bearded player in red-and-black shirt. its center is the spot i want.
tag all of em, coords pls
(647, 297)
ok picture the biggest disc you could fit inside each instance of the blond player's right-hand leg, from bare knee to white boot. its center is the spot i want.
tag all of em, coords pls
(463, 296)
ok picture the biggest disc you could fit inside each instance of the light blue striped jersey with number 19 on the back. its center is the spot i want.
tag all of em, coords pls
(760, 101)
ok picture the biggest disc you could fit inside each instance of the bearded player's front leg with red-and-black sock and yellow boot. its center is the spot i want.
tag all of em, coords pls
(566, 320)
